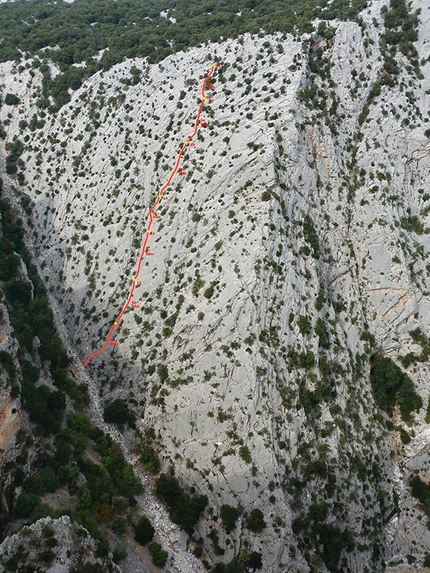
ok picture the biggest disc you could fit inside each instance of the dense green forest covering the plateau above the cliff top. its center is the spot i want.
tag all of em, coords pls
(130, 30)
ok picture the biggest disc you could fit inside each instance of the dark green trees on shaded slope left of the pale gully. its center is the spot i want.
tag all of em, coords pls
(60, 459)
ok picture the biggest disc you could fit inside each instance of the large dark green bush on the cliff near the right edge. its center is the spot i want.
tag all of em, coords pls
(391, 385)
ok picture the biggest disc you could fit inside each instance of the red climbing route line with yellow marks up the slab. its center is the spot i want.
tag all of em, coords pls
(145, 251)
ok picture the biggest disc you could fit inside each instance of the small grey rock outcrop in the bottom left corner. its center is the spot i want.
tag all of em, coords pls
(54, 546)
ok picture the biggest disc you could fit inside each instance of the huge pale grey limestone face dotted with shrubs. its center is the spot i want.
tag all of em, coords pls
(298, 235)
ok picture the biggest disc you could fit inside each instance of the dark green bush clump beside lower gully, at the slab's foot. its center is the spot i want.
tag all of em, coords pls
(184, 509)
